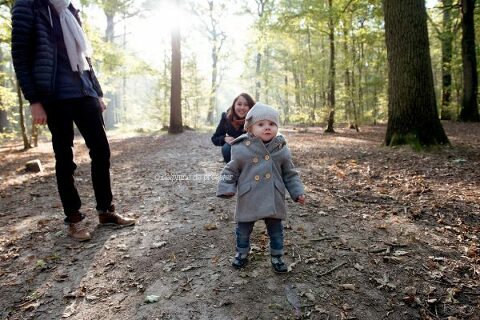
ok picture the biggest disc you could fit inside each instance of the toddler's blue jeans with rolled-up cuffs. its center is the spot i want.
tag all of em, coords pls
(275, 232)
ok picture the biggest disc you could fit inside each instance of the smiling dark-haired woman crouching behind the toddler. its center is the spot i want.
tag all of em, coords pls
(231, 124)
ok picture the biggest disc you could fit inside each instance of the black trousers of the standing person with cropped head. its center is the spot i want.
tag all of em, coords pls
(85, 112)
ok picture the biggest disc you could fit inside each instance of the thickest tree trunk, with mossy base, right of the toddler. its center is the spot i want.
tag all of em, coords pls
(412, 111)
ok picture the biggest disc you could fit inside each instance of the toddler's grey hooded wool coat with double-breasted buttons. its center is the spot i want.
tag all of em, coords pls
(259, 174)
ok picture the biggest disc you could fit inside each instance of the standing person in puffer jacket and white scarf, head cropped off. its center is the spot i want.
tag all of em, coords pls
(51, 59)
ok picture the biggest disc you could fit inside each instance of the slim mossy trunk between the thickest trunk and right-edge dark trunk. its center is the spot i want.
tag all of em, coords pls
(447, 45)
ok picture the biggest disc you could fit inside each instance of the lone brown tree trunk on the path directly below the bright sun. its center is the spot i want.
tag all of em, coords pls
(176, 86)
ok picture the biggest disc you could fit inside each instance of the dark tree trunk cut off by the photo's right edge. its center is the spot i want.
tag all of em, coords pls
(469, 110)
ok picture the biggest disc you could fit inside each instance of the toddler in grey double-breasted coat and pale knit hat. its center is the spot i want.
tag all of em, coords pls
(260, 172)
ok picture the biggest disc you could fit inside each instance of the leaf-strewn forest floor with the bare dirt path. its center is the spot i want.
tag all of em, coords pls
(386, 233)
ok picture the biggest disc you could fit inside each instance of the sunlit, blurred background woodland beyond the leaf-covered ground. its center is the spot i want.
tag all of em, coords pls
(319, 62)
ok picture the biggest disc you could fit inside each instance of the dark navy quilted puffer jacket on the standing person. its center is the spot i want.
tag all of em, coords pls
(34, 49)
